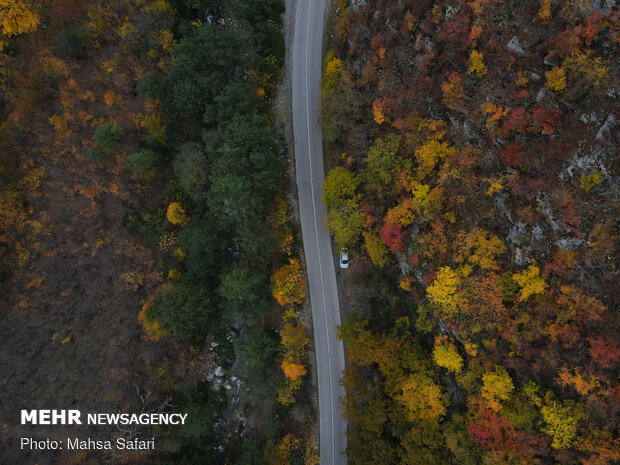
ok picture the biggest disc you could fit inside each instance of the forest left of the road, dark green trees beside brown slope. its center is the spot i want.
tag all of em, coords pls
(146, 232)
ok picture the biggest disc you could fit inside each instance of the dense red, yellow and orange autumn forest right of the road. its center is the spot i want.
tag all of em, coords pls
(472, 148)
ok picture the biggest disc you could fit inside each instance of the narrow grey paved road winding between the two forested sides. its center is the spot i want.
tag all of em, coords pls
(306, 76)
